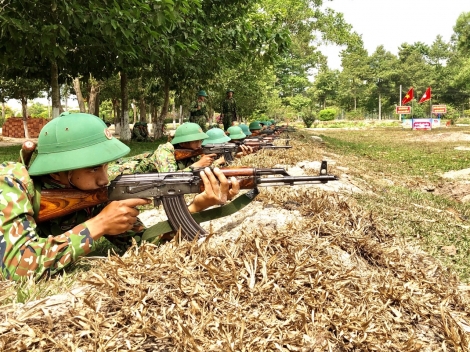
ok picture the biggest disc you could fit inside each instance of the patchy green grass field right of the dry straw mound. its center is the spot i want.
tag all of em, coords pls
(400, 167)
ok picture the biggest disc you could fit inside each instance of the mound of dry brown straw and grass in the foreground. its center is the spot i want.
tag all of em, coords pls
(299, 269)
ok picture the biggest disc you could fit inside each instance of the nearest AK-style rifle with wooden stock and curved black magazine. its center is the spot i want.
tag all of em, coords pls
(168, 189)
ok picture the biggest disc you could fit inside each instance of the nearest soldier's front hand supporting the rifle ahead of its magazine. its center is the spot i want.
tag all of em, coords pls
(217, 190)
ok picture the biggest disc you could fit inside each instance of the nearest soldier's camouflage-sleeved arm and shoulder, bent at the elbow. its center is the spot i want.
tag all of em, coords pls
(22, 251)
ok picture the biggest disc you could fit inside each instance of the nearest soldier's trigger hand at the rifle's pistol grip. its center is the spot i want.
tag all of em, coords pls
(116, 218)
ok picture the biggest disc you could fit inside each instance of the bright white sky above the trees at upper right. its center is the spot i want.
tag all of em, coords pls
(393, 22)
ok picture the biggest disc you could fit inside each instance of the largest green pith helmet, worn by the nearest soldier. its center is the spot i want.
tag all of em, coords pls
(75, 141)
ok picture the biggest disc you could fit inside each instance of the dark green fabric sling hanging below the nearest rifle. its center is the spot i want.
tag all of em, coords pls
(205, 215)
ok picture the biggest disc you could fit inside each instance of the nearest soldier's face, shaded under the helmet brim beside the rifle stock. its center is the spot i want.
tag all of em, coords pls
(86, 179)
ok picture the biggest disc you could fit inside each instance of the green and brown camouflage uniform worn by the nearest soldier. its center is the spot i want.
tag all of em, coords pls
(28, 248)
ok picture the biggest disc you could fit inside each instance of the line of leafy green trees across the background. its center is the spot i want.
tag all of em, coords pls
(151, 56)
